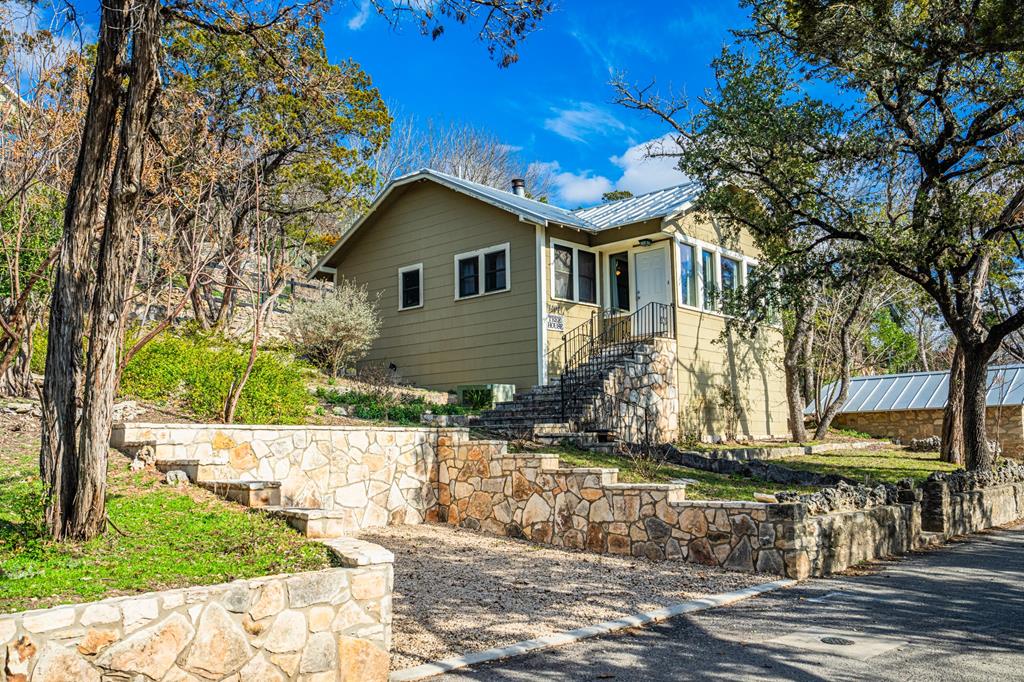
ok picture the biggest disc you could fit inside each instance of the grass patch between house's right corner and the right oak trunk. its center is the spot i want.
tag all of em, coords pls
(872, 466)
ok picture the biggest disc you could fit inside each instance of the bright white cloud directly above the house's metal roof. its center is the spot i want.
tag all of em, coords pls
(641, 174)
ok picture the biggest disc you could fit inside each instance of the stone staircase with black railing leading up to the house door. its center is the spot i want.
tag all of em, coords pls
(537, 414)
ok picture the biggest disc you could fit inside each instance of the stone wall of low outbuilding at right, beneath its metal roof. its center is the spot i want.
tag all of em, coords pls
(1005, 425)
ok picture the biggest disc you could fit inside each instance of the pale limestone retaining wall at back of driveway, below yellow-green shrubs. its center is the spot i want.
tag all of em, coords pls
(373, 477)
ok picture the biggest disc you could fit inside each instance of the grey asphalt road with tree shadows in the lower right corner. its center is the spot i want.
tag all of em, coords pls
(952, 614)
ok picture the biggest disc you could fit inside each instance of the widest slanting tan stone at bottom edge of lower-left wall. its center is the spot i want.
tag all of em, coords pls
(151, 652)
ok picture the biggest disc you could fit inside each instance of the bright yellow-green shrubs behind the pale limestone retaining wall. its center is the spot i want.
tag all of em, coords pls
(197, 370)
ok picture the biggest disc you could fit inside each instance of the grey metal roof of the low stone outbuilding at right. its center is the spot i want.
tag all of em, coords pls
(923, 391)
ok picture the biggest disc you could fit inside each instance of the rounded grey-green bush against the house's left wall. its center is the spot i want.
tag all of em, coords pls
(338, 330)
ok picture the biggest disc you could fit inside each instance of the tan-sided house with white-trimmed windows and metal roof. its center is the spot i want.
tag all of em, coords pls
(481, 286)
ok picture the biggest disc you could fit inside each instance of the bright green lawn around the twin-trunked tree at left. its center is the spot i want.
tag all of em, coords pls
(165, 538)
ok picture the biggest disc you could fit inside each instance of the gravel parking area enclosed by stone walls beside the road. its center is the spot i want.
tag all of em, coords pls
(458, 591)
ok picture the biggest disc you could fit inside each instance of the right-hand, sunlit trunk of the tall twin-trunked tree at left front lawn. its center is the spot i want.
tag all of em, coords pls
(89, 516)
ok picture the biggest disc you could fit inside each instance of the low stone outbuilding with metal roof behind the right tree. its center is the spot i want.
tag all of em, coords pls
(911, 406)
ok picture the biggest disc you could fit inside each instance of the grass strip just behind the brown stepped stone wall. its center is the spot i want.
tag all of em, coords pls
(709, 486)
